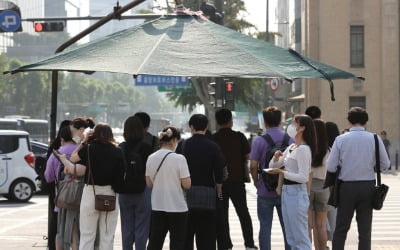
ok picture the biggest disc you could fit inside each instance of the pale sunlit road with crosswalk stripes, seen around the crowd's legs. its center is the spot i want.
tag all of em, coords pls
(24, 226)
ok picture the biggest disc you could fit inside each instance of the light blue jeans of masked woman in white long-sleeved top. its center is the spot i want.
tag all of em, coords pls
(295, 204)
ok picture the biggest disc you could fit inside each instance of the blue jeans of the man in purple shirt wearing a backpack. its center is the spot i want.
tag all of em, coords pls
(265, 212)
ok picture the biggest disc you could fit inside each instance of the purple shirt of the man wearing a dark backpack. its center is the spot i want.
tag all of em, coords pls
(258, 153)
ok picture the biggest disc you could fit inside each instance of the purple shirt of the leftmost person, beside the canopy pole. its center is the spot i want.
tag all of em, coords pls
(53, 164)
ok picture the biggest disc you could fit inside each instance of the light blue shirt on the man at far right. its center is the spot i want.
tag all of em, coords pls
(354, 151)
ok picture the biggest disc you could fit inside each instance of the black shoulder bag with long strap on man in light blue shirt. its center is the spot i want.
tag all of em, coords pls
(381, 189)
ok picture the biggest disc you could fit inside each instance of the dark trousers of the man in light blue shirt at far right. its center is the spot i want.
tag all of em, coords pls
(356, 197)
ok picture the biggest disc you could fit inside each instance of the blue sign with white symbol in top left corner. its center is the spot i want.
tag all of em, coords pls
(10, 17)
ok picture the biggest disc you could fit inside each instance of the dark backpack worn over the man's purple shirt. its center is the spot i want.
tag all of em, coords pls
(271, 180)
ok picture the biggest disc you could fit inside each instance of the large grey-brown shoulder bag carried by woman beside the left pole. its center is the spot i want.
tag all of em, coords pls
(69, 192)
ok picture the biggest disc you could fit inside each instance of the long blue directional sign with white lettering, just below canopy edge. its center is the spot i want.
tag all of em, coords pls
(160, 80)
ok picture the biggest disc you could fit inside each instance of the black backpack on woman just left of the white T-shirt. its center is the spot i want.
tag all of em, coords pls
(134, 174)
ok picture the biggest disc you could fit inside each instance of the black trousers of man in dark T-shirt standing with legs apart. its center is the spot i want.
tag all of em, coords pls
(237, 193)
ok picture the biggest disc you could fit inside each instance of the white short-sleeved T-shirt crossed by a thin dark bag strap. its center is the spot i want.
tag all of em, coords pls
(167, 194)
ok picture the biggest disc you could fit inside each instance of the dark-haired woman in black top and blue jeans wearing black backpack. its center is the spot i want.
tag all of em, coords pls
(135, 222)
